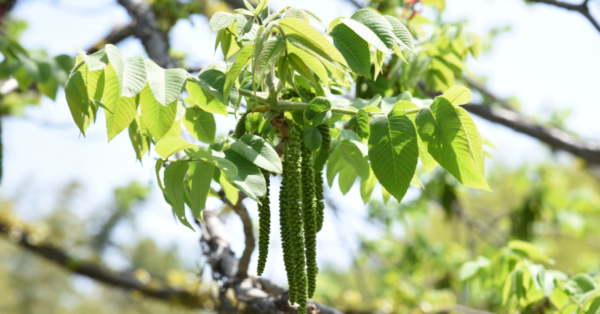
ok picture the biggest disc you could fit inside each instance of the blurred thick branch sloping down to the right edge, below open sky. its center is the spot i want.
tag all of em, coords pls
(556, 138)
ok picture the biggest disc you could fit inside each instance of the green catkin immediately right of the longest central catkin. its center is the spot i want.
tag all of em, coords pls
(309, 217)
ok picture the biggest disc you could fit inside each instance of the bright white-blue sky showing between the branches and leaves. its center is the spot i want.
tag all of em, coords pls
(549, 60)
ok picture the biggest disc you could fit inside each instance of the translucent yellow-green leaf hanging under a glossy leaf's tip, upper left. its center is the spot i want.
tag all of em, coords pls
(156, 117)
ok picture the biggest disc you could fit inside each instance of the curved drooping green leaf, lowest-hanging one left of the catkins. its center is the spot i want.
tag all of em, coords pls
(174, 176)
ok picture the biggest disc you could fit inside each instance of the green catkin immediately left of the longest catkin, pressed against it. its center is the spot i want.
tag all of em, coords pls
(284, 226)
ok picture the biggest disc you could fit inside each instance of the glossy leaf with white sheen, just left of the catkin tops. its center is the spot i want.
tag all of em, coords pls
(256, 150)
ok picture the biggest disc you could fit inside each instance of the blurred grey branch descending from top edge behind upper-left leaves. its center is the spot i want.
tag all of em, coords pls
(145, 27)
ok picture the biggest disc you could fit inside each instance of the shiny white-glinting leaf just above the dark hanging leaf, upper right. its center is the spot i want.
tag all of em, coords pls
(373, 28)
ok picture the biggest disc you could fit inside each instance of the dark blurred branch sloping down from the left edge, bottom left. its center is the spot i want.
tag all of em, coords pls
(124, 280)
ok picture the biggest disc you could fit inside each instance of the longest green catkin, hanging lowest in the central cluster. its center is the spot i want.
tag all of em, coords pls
(295, 222)
